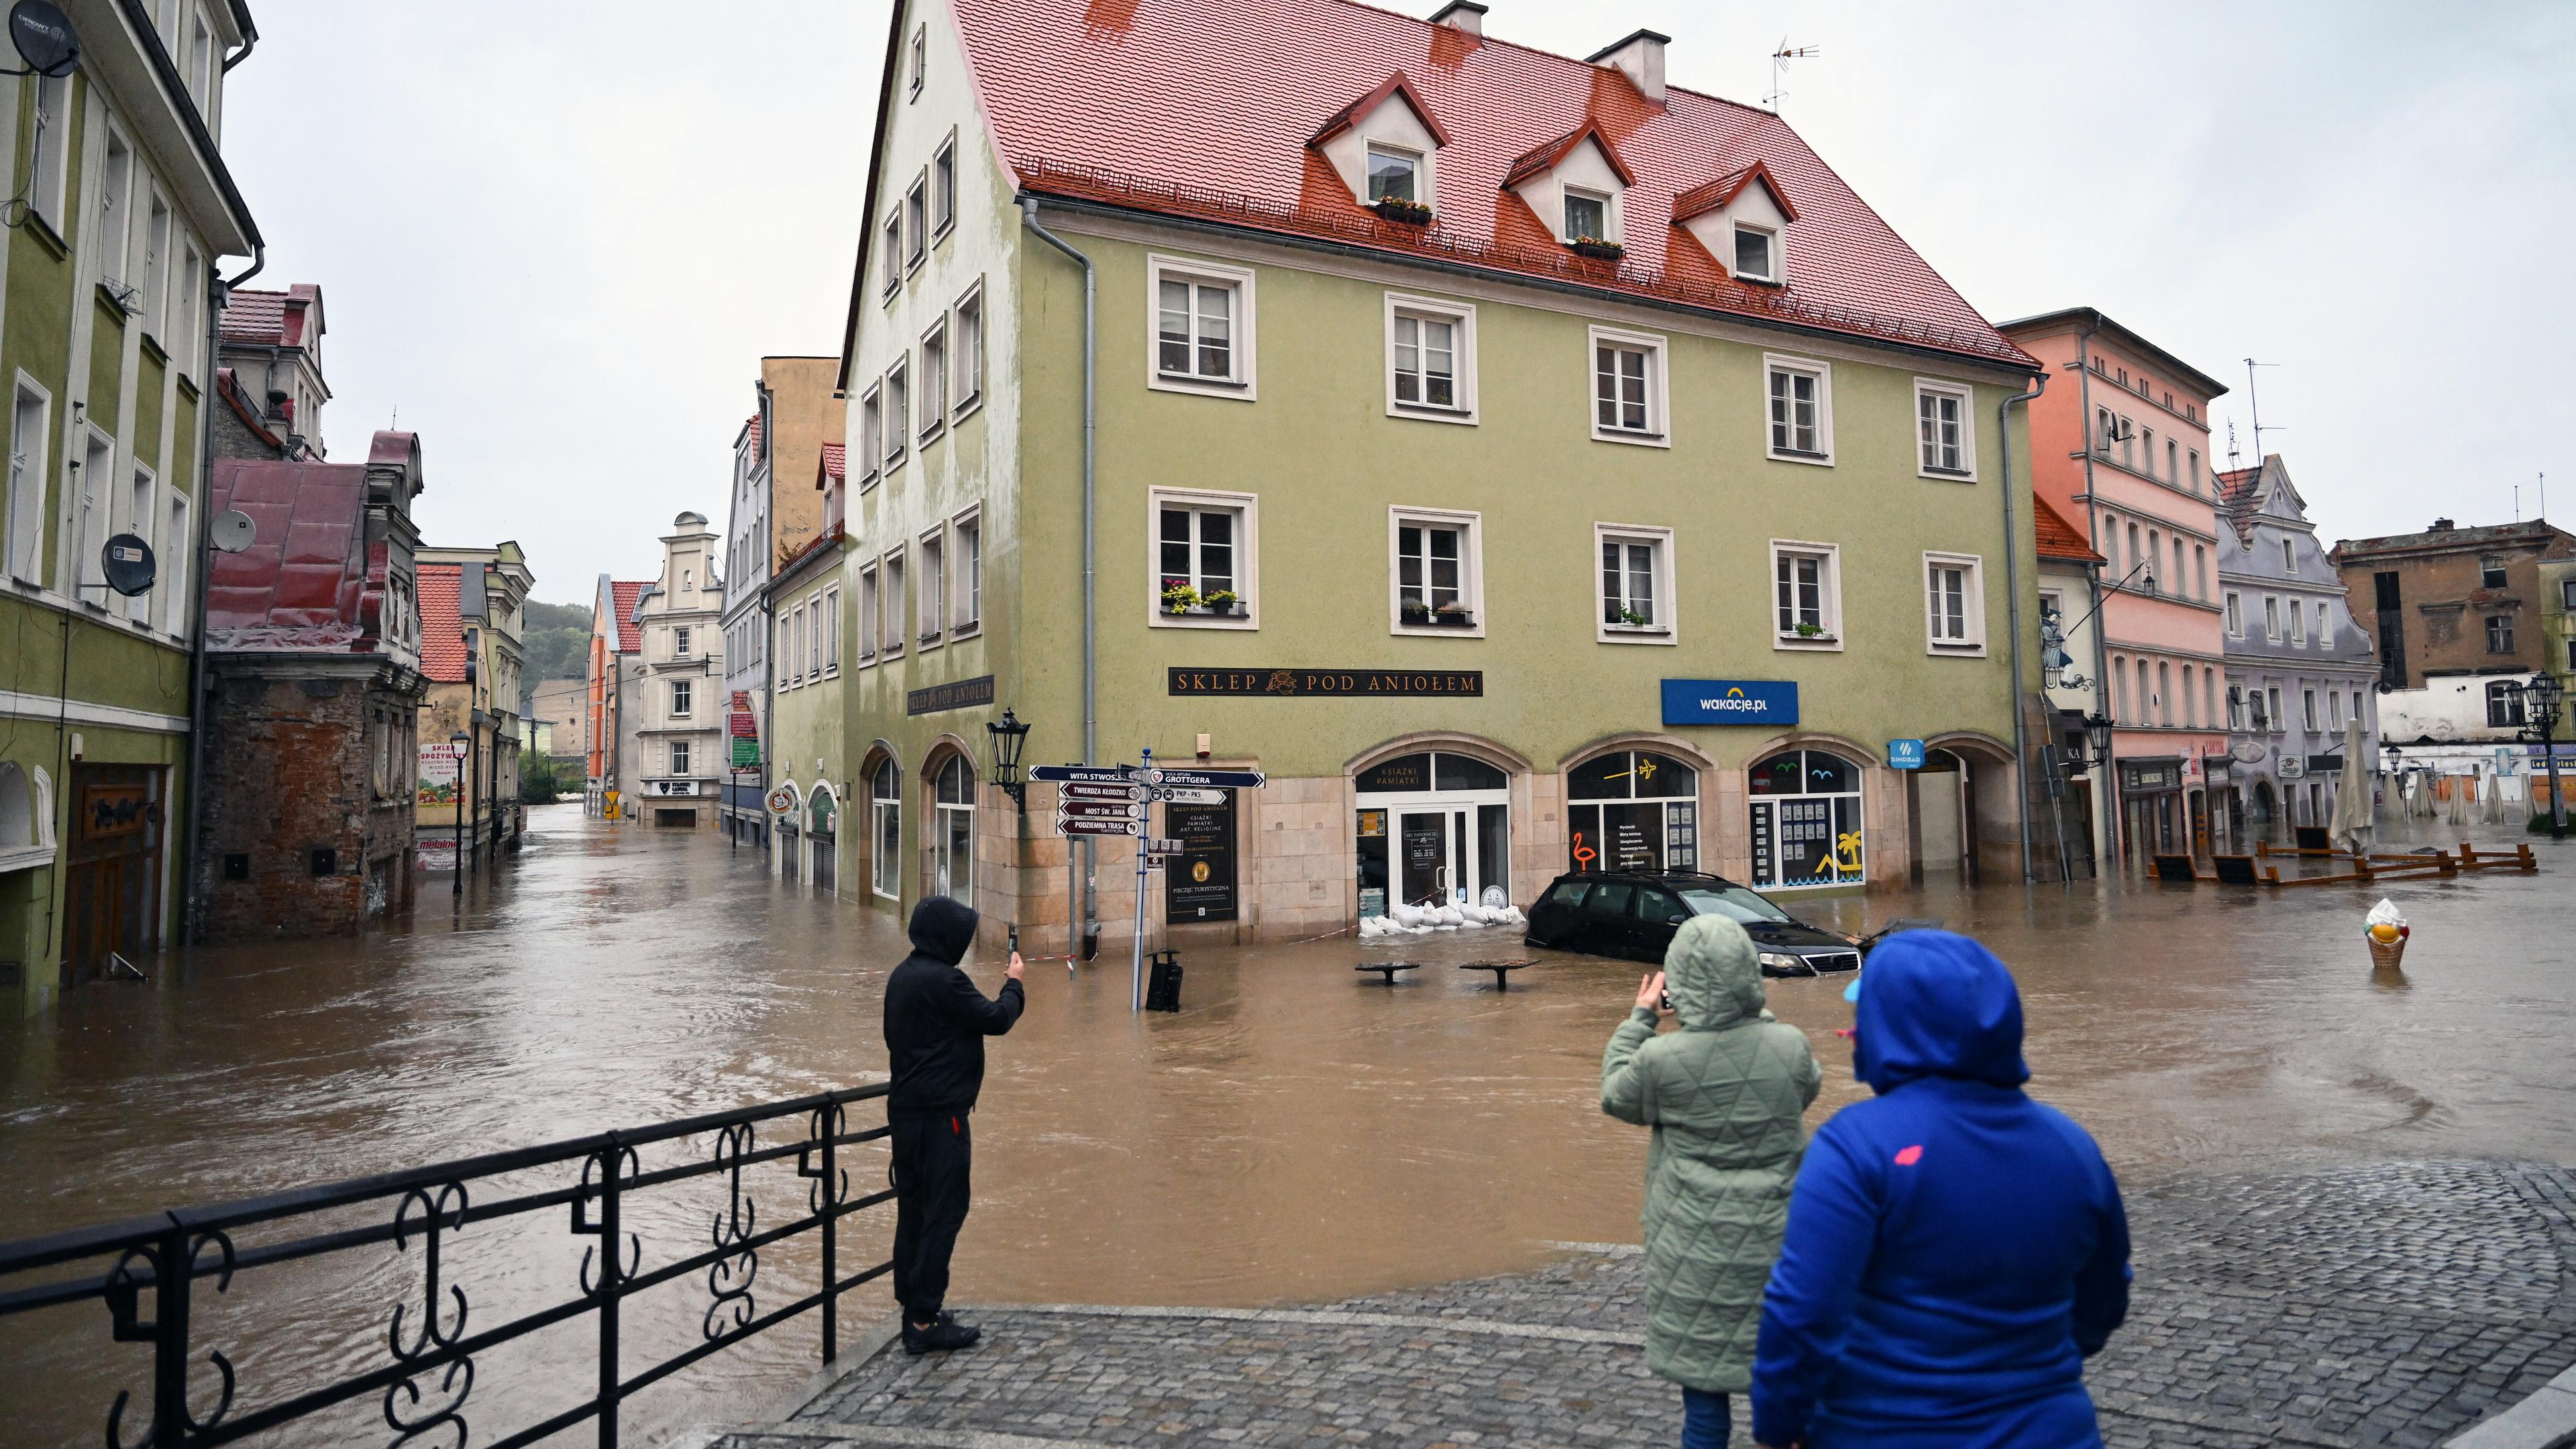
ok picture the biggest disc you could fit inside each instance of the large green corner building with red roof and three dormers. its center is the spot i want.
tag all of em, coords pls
(1521, 460)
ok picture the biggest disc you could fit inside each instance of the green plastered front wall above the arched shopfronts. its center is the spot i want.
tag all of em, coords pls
(1328, 463)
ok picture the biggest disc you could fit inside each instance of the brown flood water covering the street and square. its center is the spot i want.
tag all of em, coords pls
(1297, 1133)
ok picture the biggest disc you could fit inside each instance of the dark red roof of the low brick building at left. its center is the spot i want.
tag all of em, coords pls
(303, 581)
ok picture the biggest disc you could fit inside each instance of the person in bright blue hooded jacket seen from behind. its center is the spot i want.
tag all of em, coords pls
(1954, 1249)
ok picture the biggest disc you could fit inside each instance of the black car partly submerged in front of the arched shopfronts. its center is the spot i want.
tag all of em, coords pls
(1637, 914)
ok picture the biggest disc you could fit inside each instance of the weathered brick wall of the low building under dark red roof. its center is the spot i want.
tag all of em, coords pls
(292, 770)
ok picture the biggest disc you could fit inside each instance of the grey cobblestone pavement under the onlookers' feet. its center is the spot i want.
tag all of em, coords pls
(2369, 1306)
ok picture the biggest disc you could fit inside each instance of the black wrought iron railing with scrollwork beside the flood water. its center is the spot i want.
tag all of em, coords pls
(326, 1247)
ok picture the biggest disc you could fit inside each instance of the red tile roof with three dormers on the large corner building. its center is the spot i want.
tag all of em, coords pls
(1207, 107)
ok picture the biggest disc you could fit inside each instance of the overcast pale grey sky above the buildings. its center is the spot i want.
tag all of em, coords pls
(560, 236)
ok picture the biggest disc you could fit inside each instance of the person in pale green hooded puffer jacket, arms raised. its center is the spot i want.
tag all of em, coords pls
(1727, 1100)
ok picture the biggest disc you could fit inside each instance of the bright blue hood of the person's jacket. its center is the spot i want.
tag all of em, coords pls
(1938, 1007)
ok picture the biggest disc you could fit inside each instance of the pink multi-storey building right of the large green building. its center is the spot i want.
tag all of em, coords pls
(2121, 447)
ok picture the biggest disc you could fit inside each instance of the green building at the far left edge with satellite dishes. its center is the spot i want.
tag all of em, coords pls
(104, 347)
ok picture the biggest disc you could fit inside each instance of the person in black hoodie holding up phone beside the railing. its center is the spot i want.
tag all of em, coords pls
(936, 1025)
